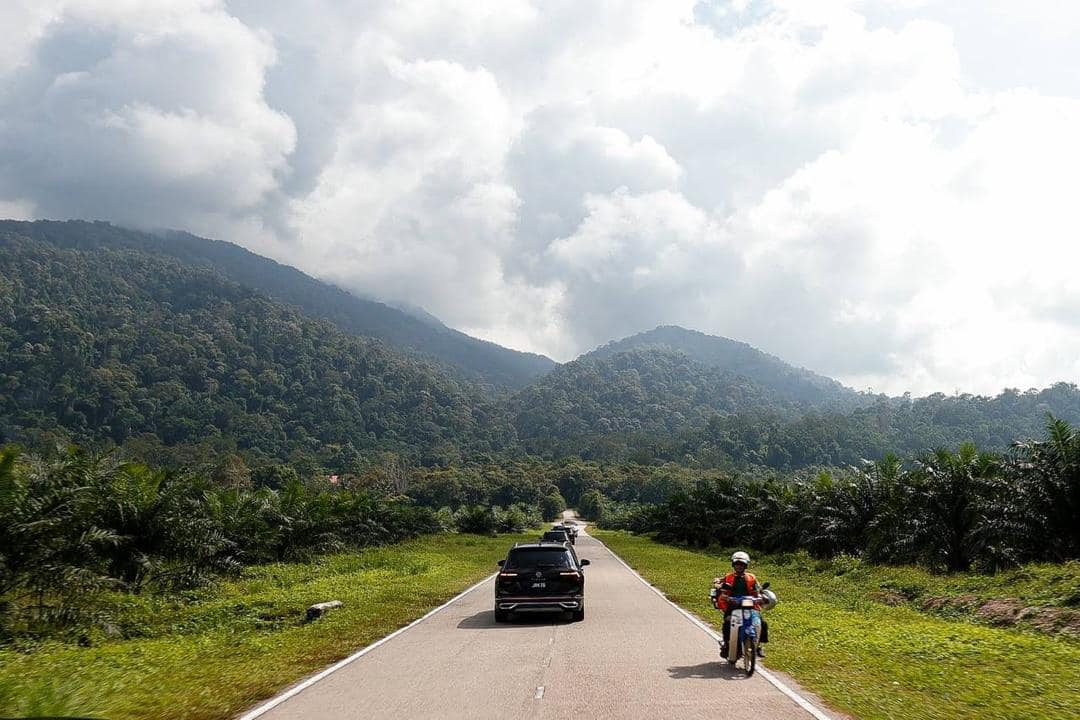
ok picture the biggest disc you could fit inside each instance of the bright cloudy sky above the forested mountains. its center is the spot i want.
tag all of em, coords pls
(883, 193)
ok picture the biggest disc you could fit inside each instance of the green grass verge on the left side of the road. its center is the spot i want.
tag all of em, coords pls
(215, 653)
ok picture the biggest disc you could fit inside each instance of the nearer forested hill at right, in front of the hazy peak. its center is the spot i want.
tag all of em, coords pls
(655, 404)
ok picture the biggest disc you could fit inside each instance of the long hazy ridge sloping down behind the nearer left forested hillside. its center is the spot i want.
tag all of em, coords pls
(471, 358)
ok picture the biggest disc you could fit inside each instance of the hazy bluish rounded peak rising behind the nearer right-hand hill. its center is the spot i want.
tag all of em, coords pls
(808, 390)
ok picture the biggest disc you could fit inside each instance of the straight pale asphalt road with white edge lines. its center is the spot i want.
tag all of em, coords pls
(633, 657)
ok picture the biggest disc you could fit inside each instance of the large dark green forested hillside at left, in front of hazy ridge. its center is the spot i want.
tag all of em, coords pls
(119, 345)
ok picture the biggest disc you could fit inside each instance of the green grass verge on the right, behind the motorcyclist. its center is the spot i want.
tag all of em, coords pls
(873, 660)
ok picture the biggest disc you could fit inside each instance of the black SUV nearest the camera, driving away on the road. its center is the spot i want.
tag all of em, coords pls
(541, 578)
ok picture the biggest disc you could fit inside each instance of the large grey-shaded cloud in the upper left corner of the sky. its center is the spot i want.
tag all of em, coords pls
(143, 113)
